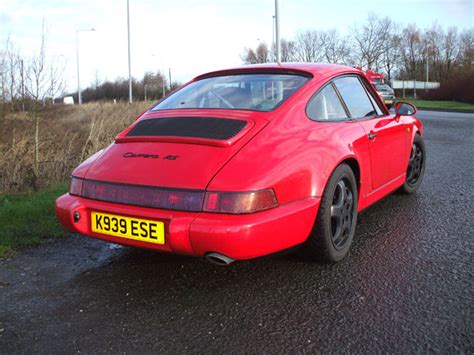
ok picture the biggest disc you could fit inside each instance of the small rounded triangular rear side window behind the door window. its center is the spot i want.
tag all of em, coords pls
(326, 106)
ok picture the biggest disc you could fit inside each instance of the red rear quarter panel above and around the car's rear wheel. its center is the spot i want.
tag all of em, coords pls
(295, 156)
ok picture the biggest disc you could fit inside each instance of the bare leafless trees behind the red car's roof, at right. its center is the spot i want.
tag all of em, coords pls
(382, 45)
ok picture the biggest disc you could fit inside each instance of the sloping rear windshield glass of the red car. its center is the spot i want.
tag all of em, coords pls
(257, 92)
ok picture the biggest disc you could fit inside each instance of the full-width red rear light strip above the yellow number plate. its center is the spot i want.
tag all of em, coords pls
(175, 199)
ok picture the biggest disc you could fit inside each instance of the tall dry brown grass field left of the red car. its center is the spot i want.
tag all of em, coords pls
(67, 135)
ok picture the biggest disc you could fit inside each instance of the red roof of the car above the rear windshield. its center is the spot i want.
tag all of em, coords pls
(314, 69)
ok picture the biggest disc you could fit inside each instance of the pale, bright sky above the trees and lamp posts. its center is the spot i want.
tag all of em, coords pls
(190, 36)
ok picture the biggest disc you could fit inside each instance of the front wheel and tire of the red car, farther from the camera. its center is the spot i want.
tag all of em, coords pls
(416, 166)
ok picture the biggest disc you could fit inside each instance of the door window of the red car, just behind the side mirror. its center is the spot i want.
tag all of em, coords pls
(355, 97)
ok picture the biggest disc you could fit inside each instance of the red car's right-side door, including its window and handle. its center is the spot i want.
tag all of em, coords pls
(385, 135)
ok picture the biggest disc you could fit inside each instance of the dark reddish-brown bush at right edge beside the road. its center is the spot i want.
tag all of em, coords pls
(459, 88)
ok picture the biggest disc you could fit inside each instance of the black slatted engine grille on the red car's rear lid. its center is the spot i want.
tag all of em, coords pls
(196, 127)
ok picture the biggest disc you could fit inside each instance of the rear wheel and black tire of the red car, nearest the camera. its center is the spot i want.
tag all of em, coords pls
(334, 228)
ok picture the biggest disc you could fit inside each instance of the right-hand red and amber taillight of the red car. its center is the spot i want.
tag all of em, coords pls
(239, 202)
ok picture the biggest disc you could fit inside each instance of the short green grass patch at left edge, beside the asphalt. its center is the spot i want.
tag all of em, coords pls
(28, 218)
